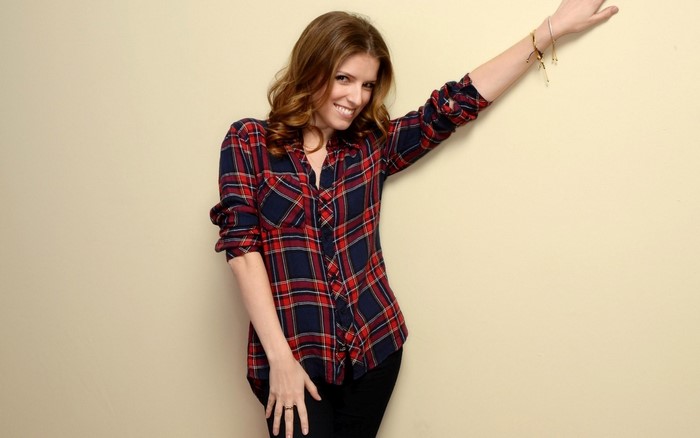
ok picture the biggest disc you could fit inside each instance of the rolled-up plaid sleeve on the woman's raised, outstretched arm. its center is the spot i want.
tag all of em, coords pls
(412, 136)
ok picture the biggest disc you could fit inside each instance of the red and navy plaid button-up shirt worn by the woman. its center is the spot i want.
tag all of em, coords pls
(321, 245)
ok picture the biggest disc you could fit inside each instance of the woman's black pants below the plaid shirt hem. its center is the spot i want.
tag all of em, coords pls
(352, 410)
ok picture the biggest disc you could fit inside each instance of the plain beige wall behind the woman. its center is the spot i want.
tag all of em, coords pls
(546, 258)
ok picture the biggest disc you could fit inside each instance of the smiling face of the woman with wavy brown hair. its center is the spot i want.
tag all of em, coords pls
(351, 90)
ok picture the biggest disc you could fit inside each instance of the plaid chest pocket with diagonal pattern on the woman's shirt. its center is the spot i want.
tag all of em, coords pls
(281, 202)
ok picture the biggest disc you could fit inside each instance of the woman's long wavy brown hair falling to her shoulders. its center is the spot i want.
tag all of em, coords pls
(325, 44)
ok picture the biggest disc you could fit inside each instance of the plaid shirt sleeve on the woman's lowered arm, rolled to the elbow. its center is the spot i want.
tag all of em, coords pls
(236, 214)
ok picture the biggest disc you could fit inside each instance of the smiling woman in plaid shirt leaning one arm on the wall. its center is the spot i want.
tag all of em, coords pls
(299, 212)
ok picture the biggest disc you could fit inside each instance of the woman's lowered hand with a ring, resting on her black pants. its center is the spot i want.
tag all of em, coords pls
(288, 380)
